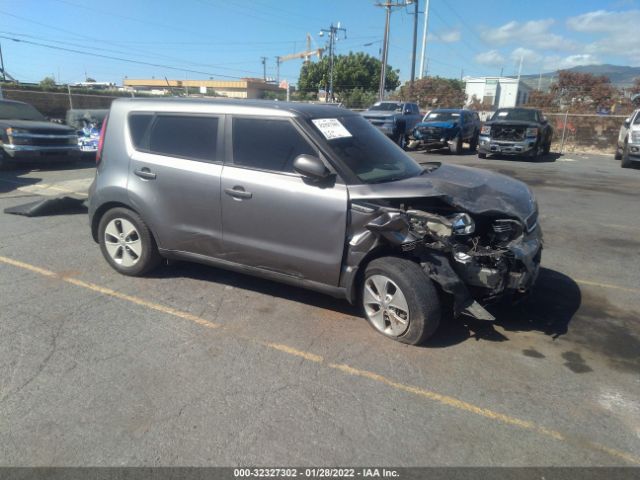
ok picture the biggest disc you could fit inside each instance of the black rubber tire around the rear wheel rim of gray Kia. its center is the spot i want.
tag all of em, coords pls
(149, 258)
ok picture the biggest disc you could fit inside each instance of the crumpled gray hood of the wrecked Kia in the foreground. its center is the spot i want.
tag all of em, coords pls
(470, 189)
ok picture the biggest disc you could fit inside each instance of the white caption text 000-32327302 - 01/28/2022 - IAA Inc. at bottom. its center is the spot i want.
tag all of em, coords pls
(315, 472)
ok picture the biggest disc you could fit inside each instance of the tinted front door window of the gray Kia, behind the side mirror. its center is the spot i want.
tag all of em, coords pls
(267, 144)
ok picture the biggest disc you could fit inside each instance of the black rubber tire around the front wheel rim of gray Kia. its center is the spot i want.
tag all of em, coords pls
(419, 291)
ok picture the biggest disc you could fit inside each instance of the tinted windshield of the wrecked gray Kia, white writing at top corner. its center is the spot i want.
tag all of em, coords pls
(365, 151)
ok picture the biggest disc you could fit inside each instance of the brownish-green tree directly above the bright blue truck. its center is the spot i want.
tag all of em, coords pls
(434, 92)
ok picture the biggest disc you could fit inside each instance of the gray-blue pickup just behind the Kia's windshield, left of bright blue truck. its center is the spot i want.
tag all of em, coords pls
(394, 119)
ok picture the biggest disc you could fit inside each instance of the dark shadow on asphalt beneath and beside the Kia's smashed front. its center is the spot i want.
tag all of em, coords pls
(548, 309)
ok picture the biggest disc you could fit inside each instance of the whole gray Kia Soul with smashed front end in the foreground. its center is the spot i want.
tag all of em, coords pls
(311, 196)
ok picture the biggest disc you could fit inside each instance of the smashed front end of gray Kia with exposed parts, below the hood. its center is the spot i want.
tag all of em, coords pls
(476, 257)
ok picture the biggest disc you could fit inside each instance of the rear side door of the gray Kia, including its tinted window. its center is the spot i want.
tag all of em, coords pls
(174, 178)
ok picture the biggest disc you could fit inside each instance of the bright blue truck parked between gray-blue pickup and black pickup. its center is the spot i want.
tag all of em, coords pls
(446, 128)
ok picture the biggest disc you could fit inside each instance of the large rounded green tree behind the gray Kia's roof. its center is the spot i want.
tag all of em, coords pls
(355, 70)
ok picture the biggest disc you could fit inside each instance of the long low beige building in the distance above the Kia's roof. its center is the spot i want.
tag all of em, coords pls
(245, 88)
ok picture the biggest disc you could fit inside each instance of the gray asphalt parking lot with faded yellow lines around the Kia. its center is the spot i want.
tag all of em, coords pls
(198, 366)
